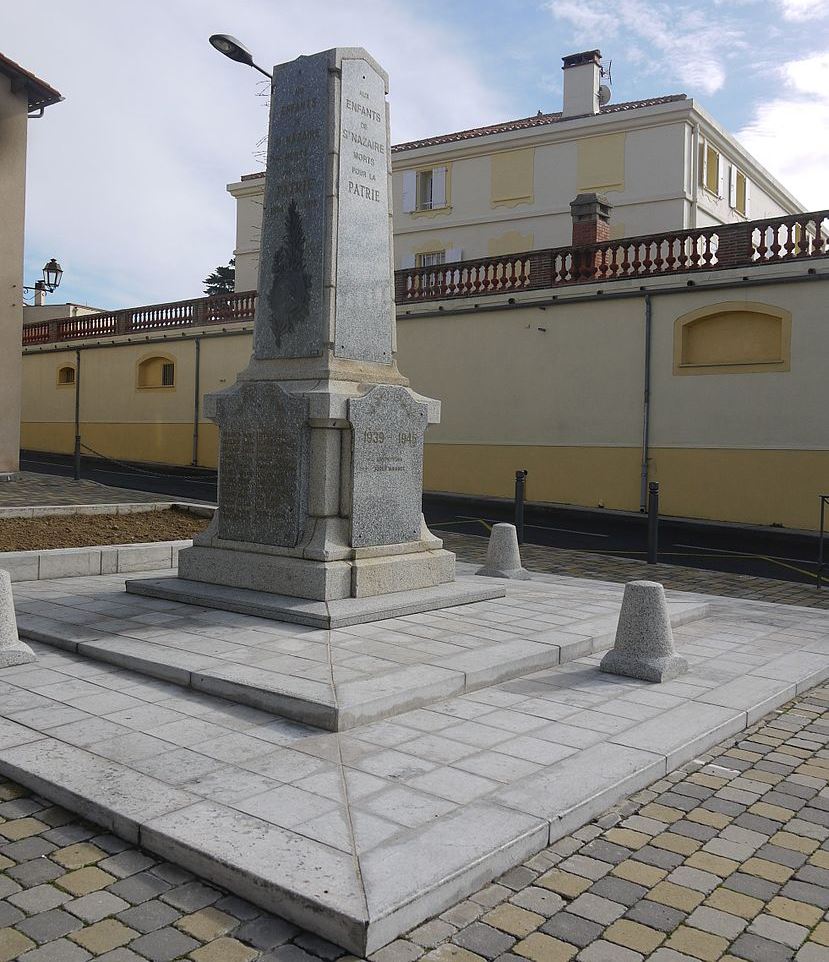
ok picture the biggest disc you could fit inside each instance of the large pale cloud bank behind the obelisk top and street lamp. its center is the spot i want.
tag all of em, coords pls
(126, 179)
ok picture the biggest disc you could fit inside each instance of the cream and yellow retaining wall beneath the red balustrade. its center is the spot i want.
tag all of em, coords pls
(556, 389)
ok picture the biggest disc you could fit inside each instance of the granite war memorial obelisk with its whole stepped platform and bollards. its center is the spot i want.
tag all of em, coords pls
(323, 711)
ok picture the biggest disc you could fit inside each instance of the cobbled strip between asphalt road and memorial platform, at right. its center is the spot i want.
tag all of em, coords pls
(586, 564)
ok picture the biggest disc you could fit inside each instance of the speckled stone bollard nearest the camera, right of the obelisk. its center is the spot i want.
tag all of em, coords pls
(644, 646)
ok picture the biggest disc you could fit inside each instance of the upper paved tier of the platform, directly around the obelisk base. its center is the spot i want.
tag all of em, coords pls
(339, 678)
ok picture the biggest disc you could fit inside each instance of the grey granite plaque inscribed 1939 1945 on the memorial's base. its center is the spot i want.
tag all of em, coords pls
(388, 425)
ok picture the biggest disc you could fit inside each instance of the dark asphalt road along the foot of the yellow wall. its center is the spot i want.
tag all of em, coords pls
(766, 553)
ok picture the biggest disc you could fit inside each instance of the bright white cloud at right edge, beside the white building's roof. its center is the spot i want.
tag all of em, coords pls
(787, 132)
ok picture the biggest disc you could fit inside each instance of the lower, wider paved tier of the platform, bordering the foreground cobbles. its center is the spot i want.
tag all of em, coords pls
(361, 835)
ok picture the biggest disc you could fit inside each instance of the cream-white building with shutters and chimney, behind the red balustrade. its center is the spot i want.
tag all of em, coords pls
(664, 164)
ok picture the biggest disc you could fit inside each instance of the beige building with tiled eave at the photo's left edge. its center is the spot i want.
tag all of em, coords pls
(21, 93)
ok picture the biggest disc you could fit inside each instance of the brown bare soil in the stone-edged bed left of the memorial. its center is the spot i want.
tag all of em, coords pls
(81, 530)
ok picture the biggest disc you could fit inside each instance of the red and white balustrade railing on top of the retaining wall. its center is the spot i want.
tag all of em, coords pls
(749, 244)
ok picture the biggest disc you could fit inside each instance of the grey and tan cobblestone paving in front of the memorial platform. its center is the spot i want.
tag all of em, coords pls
(726, 859)
